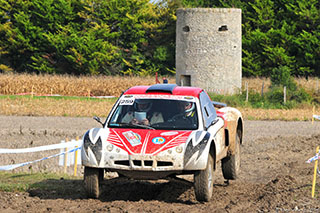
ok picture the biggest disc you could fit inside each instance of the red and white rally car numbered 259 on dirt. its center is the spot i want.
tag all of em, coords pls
(163, 130)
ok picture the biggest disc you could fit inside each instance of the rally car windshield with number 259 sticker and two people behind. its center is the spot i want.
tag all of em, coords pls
(166, 114)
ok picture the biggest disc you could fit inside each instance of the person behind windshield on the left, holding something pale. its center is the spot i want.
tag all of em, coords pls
(143, 107)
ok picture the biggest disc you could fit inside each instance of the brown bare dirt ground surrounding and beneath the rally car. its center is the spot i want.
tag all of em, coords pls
(274, 177)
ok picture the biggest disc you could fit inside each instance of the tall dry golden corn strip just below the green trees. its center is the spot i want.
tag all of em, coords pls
(107, 85)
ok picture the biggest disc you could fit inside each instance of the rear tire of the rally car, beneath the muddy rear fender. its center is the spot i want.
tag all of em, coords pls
(231, 164)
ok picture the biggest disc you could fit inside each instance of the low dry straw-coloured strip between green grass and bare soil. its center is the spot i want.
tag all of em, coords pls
(85, 108)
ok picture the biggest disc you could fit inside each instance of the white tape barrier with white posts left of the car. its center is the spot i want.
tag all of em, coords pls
(72, 146)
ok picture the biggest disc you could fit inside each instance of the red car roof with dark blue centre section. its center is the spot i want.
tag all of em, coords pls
(164, 89)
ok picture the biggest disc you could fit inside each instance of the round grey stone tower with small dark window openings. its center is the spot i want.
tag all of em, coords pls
(208, 49)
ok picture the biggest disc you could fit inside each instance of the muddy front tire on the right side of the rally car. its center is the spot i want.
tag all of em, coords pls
(203, 182)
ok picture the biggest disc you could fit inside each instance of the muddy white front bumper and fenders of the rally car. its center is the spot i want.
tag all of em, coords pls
(98, 152)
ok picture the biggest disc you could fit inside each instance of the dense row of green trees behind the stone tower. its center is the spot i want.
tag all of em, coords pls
(137, 37)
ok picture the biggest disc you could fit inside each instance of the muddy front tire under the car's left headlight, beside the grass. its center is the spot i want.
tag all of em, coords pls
(91, 181)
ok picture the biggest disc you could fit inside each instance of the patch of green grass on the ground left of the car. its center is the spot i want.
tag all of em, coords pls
(22, 182)
